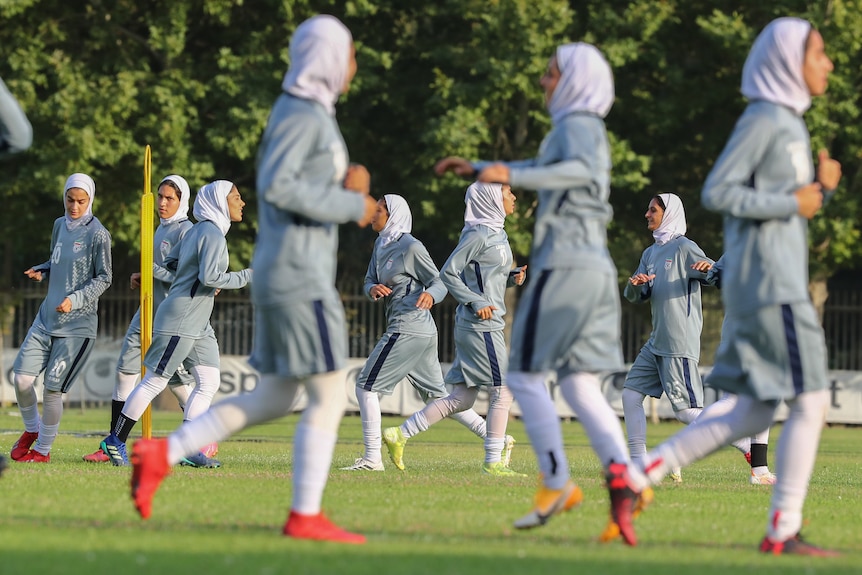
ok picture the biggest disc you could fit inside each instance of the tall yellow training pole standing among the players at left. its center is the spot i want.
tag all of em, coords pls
(147, 207)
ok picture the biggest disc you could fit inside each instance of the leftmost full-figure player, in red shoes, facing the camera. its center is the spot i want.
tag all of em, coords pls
(64, 331)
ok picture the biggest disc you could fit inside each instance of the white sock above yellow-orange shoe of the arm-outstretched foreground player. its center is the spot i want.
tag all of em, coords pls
(542, 424)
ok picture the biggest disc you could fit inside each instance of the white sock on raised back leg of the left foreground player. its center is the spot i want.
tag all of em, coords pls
(271, 398)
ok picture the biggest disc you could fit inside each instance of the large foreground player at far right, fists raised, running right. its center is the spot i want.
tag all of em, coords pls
(765, 185)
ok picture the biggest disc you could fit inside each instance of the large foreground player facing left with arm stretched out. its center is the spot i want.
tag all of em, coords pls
(568, 320)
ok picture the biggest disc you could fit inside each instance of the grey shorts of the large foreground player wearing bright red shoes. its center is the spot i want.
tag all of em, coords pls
(300, 339)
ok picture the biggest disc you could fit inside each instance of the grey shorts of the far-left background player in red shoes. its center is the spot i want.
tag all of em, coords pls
(61, 357)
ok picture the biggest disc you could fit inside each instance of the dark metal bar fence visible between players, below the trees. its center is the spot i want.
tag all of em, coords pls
(233, 322)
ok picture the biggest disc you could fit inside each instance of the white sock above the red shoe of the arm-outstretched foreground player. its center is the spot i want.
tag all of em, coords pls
(583, 392)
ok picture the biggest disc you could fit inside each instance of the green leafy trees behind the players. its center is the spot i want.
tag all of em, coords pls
(457, 77)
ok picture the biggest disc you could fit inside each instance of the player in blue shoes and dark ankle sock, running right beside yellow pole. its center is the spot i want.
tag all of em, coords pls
(181, 328)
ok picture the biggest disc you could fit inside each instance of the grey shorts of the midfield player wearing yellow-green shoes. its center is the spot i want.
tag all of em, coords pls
(481, 358)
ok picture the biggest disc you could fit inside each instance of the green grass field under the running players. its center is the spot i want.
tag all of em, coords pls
(443, 516)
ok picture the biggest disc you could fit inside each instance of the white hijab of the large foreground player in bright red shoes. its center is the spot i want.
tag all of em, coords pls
(319, 55)
